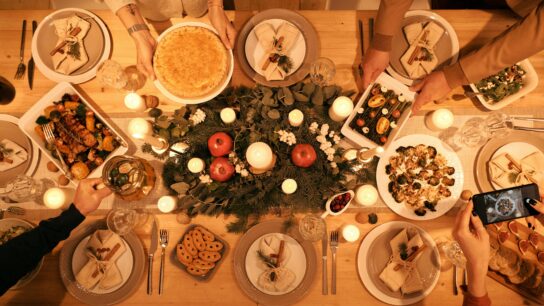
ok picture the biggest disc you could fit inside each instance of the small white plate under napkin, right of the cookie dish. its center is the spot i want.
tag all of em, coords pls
(296, 263)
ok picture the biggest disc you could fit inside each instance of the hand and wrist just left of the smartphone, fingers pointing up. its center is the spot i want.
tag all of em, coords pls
(473, 239)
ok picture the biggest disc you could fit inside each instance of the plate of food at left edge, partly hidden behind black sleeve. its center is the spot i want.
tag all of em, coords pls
(9, 229)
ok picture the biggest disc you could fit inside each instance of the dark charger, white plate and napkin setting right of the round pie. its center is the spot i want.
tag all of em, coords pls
(297, 49)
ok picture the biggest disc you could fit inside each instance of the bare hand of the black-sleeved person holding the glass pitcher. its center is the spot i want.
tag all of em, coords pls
(88, 197)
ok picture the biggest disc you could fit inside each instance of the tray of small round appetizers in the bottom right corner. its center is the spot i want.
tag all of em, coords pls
(517, 258)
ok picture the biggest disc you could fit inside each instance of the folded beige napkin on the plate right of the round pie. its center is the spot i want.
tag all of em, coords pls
(267, 37)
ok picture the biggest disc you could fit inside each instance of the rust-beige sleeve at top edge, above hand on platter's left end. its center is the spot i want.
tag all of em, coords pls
(388, 22)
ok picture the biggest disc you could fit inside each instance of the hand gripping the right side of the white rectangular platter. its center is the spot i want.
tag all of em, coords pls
(432, 87)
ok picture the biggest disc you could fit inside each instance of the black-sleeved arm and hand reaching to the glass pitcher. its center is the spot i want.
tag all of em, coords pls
(21, 254)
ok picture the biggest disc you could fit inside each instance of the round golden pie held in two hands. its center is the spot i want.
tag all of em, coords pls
(191, 62)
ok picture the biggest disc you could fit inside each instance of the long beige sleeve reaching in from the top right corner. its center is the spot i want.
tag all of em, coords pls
(519, 42)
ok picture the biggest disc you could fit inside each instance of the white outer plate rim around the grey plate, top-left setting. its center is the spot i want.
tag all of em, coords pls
(59, 77)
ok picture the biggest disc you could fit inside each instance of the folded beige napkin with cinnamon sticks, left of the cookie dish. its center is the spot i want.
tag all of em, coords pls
(103, 249)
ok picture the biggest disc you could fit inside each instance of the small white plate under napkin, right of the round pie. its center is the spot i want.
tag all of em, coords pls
(255, 52)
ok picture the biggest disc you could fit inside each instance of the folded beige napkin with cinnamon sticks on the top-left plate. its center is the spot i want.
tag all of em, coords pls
(73, 55)
